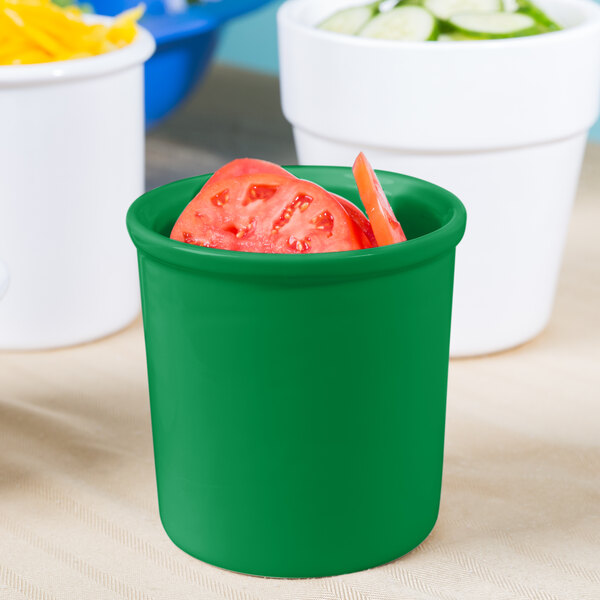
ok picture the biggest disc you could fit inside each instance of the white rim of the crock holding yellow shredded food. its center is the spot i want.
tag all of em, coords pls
(137, 52)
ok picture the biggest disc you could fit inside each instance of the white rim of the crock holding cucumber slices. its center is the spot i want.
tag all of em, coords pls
(590, 22)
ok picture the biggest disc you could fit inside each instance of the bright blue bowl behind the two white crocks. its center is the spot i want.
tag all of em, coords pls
(185, 43)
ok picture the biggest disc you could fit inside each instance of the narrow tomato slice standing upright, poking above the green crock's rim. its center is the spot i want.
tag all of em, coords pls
(386, 228)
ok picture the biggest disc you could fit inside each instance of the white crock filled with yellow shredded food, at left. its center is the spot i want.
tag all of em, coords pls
(71, 162)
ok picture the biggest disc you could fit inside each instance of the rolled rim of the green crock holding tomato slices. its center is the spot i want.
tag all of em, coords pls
(144, 214)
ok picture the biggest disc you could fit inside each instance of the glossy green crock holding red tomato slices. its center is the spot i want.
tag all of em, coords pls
(298, 401)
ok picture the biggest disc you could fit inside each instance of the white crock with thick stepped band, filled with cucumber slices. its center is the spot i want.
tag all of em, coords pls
(501, 123)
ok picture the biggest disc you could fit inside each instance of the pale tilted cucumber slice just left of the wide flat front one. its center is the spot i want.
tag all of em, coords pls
(405, 23)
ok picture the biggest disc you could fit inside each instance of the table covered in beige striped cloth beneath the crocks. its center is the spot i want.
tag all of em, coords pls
(520, 512)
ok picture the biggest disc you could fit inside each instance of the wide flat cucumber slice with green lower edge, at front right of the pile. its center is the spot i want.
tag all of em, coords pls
(496, 25)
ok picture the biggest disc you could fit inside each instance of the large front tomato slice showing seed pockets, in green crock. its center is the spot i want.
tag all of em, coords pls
(267, 213)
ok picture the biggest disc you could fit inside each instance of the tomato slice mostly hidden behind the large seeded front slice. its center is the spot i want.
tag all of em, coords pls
(249, 166)
